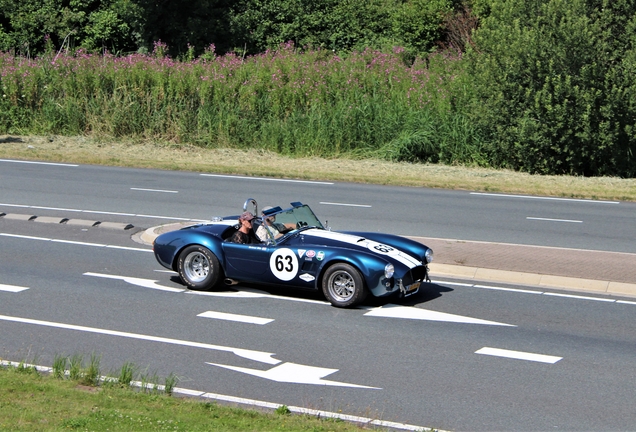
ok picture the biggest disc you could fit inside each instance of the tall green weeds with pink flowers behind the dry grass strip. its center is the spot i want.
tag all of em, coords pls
(290, 101)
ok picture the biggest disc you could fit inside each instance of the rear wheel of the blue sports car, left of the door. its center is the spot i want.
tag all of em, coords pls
(199, 268)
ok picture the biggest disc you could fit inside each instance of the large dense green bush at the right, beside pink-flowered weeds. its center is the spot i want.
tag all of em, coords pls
(555, 85)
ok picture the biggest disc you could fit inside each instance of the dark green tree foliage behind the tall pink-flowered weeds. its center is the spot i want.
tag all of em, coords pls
(249, 26)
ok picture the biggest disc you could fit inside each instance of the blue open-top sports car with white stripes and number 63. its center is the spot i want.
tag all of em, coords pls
(294, 249)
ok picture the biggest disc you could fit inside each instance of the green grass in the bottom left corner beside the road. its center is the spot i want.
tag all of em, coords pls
(34, 401)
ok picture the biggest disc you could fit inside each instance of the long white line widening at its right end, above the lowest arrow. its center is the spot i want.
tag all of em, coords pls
(259, 356)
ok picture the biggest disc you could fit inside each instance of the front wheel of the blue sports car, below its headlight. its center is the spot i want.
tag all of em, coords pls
(343, 285)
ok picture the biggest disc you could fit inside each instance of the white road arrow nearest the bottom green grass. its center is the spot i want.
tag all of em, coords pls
(295, 374)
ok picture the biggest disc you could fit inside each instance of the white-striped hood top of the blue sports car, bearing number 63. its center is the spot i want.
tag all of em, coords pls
(333, 238)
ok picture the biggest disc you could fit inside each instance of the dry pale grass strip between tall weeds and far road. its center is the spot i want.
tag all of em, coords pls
(145, 154)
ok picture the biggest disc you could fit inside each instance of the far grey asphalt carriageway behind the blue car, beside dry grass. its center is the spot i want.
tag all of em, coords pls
(585, 224)
